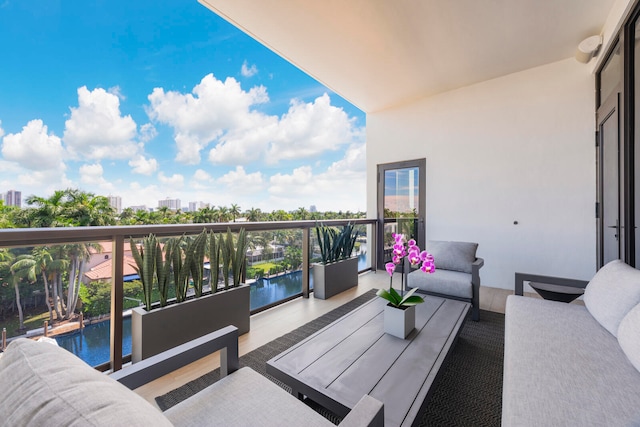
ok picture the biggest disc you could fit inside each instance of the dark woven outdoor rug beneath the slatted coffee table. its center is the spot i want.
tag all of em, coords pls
(468, 392)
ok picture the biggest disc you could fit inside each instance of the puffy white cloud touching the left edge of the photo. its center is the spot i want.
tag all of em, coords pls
(34, 148)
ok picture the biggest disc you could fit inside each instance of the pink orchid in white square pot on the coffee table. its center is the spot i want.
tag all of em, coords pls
(400, 313)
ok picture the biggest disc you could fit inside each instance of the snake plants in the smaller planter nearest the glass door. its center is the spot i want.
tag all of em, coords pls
(338, 269)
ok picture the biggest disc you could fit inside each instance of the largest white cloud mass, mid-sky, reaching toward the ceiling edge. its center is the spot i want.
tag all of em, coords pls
(223, 113)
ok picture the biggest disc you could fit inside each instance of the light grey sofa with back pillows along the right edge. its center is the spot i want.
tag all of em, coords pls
(574, 365)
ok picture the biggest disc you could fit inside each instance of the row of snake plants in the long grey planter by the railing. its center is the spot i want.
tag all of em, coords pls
(194, 312)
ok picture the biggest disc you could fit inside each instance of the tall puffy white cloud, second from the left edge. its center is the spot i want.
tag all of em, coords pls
(97, 130)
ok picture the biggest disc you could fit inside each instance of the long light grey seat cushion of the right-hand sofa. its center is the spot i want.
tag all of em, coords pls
(561, 367)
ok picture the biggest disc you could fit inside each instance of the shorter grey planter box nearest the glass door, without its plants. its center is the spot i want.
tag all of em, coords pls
(331, 279)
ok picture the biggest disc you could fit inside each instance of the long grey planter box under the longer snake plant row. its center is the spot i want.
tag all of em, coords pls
(160, 329)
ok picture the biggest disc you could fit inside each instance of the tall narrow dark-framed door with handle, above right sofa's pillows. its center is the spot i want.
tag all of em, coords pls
(610, 155)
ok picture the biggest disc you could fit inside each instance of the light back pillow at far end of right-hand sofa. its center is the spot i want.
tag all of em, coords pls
(612, 293)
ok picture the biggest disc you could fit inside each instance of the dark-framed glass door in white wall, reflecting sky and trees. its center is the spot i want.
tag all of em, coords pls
(401, 205)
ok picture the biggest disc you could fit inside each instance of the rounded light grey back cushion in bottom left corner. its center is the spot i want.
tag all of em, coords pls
(43, 384)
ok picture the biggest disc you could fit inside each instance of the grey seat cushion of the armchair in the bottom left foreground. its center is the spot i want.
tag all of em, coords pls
(244, 398)
